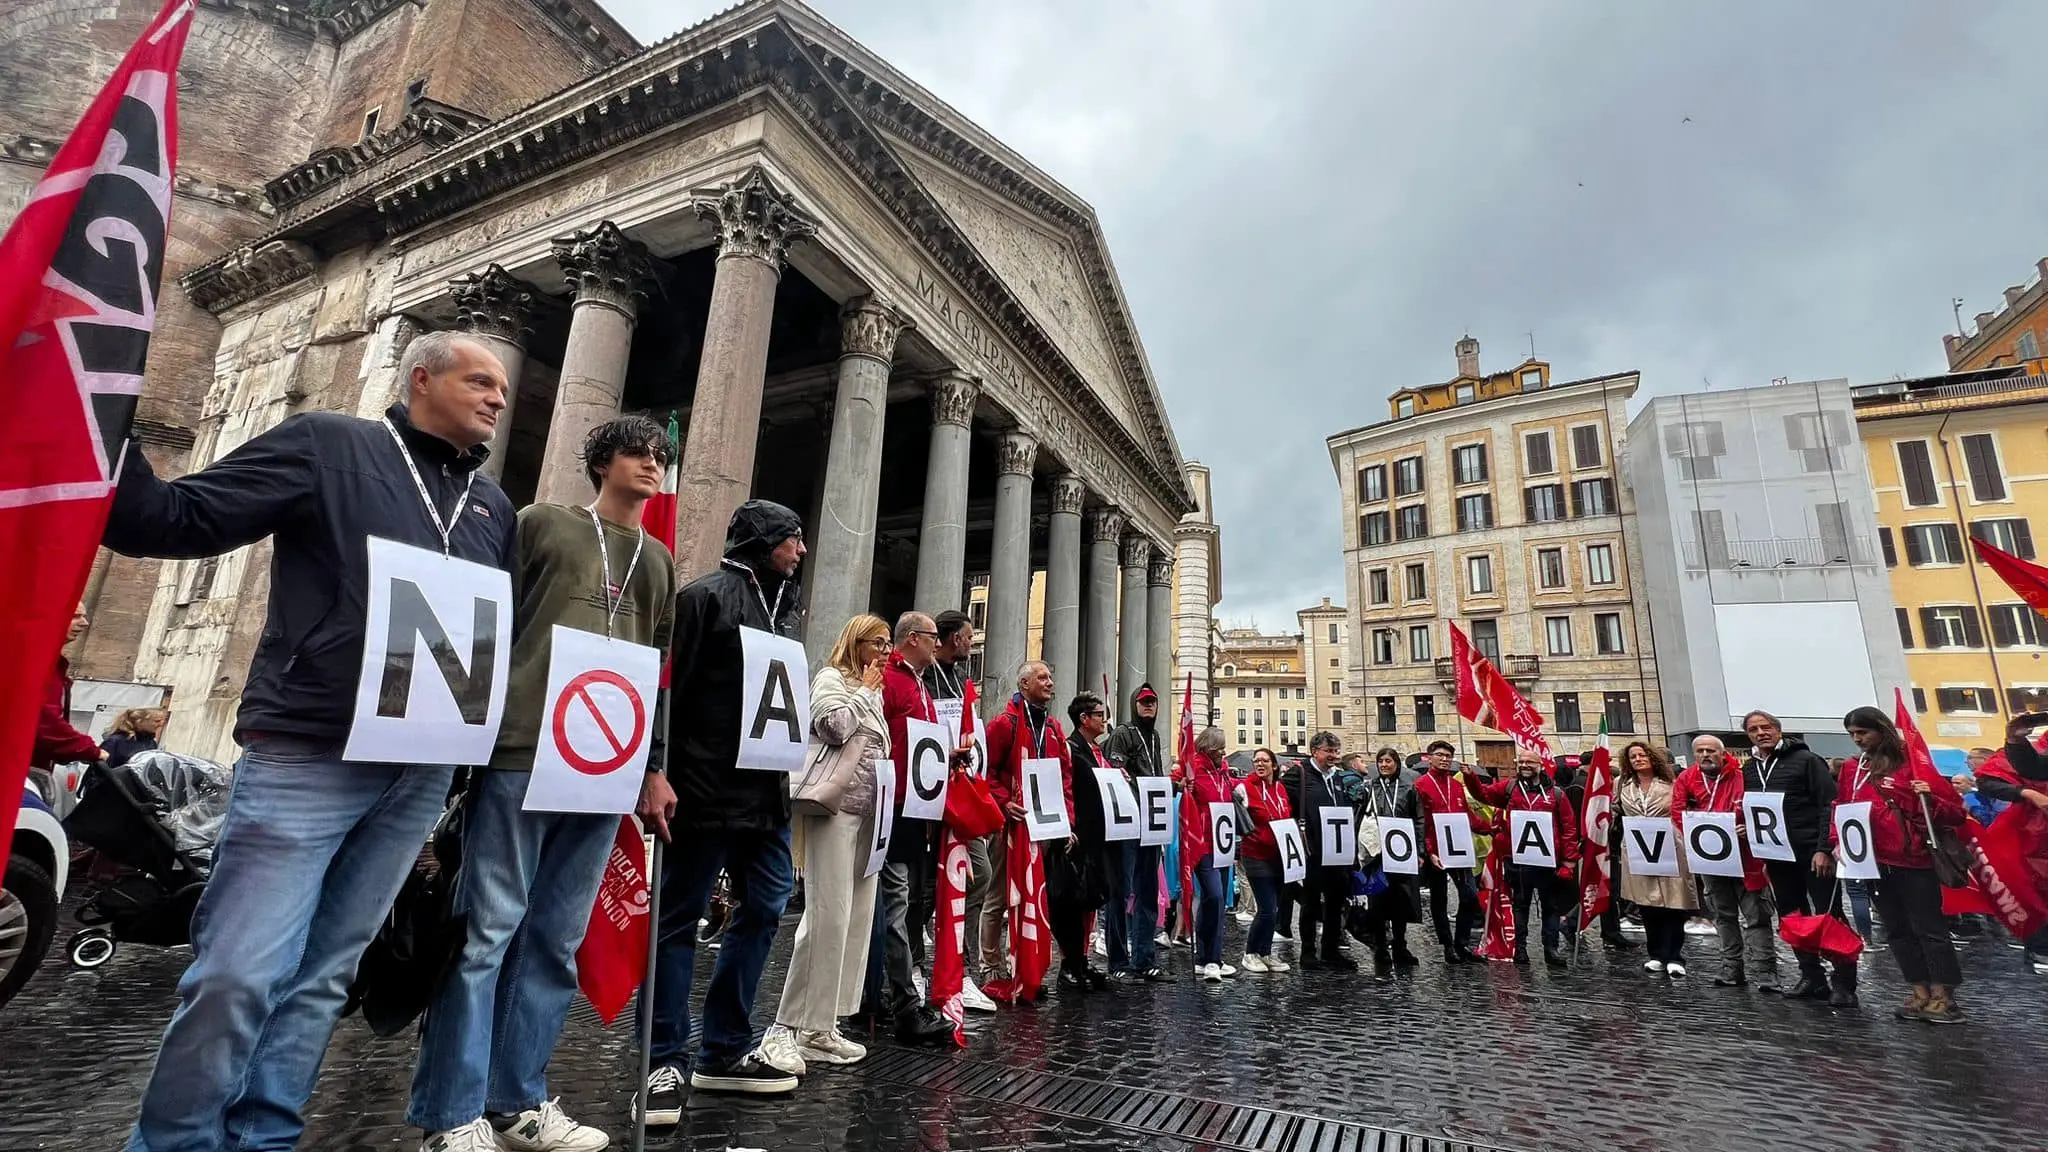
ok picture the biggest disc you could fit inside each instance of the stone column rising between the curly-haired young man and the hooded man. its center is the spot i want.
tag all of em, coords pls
(757, 227)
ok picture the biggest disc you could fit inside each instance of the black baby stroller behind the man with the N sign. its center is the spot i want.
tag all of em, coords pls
(157, 819)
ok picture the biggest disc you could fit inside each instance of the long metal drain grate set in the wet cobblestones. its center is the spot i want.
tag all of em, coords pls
(1213, 1124)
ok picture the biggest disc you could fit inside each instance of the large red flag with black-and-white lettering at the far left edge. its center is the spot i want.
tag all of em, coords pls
(79, 284)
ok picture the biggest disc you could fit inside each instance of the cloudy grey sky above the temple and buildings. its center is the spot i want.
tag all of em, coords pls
(1310, 204)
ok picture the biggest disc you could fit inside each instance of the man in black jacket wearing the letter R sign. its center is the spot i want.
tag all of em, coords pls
(1785, 766)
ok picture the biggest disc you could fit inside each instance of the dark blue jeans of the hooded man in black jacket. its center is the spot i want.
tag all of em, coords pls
(763, 878)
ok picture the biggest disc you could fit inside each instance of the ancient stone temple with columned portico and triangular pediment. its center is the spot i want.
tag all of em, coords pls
(853, 300)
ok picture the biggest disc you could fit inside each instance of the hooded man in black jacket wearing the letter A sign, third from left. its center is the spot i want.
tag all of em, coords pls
(722, 817)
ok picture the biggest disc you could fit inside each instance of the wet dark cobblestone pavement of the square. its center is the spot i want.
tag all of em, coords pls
(1437, 1061)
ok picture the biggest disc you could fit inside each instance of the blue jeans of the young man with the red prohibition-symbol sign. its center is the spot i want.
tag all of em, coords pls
(527, 887)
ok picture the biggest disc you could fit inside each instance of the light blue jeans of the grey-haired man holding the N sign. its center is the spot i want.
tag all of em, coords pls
(308, 864)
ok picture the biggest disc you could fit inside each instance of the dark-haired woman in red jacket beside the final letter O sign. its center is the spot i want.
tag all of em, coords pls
(1906, 798)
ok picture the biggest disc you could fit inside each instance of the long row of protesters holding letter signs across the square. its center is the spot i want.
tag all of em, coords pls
(318, 846)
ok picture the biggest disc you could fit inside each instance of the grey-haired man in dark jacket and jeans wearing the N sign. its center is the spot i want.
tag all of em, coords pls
(316, 846)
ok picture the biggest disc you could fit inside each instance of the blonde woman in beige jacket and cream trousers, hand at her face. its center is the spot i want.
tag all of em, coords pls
(835, 811)
